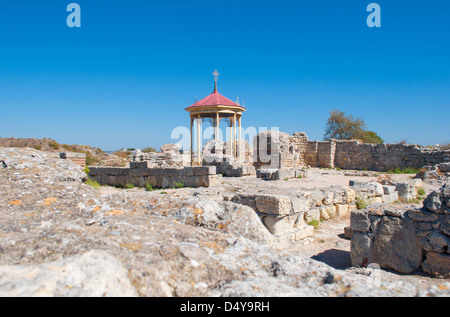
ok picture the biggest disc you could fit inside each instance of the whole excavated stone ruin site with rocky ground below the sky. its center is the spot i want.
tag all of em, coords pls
(290, 217)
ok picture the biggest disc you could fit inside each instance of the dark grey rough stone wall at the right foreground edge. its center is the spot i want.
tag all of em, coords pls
(404, 239)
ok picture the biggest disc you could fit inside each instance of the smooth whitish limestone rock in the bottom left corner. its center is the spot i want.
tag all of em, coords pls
(93, 274)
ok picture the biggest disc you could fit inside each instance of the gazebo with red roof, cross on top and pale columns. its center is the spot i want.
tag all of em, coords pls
(218, 108)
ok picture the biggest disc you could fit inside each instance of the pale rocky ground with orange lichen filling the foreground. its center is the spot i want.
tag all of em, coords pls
(61, 237)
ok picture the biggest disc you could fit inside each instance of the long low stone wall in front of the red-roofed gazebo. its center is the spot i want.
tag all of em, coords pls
(140, 175)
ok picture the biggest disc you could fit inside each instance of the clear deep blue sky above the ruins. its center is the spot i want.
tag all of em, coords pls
(124, 78)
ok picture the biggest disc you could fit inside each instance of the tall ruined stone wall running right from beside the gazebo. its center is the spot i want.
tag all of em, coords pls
(279, 150)
